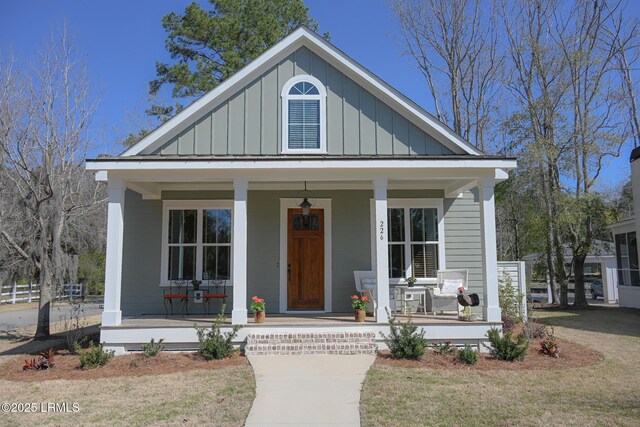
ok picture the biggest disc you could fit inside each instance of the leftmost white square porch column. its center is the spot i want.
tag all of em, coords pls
(112, 315)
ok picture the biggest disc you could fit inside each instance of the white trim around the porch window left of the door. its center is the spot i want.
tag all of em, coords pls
(198, 205)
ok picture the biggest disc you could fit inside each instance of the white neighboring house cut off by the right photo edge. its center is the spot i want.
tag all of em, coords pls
(626, 245)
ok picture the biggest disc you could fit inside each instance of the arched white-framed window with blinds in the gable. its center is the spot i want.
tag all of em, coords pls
(304, 116)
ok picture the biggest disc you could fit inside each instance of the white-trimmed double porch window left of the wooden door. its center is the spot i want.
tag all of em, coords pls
(196, 240)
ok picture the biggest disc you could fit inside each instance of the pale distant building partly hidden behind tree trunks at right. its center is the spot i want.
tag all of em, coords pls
(601, 255)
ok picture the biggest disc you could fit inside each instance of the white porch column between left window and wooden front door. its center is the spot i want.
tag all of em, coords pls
(239, 313)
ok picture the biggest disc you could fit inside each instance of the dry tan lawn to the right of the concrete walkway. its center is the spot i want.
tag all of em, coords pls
(605, 393)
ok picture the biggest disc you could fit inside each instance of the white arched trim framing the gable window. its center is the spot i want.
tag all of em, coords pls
(322, 97)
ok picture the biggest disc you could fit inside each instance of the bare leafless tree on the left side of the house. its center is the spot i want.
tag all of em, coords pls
(45, 118)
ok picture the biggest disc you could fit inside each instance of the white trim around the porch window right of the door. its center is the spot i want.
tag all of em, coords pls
(418, 203)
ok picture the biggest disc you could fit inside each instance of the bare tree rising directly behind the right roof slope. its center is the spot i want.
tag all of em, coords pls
(455, 45)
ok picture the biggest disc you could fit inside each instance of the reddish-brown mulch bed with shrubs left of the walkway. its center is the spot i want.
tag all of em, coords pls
(67, 366)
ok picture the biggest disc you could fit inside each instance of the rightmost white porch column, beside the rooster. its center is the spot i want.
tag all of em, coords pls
(491, 306)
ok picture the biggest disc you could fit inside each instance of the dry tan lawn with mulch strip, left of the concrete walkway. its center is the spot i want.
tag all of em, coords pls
(202, 396)
